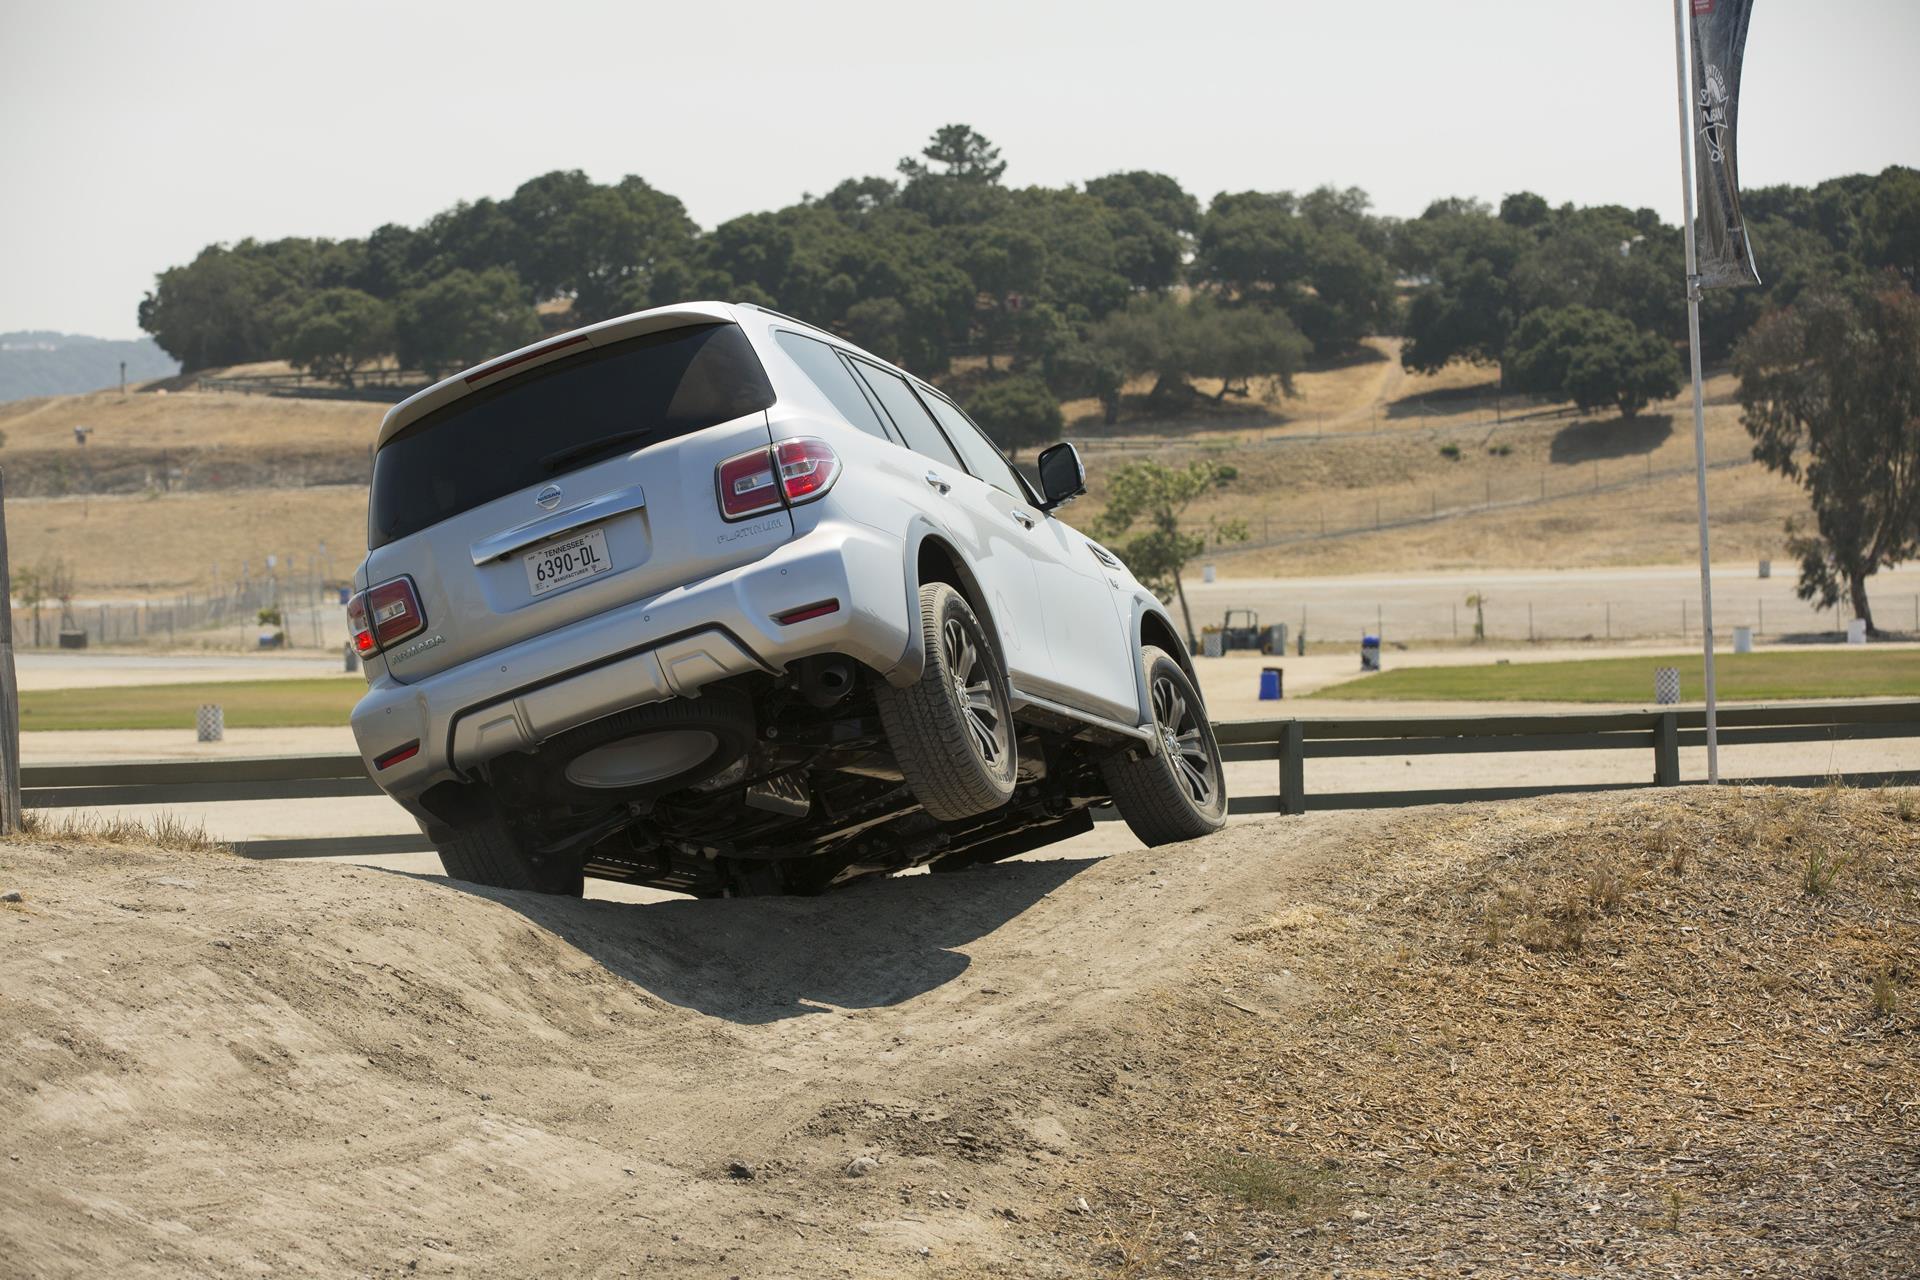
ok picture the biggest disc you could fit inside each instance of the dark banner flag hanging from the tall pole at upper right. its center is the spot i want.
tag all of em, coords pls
(1719, 43)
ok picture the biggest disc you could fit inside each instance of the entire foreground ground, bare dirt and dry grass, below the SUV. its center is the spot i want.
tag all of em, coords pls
(1276, 1049)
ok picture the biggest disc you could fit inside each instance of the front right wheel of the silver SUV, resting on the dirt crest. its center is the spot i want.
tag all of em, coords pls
(1178, 792)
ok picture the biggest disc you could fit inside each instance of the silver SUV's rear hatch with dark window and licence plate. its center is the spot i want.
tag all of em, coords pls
(577, 486)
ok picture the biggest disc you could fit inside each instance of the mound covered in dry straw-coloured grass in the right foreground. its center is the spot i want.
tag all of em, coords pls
(1566, 1039)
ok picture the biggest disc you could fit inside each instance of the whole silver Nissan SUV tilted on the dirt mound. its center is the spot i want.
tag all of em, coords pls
(709, 600)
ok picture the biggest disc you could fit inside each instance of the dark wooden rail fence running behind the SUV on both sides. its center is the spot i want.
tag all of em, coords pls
(1284, 744)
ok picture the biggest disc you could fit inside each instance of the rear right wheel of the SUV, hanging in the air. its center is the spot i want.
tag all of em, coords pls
(953, 728)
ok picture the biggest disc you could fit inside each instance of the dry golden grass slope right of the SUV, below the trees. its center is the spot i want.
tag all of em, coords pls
(1332, 485)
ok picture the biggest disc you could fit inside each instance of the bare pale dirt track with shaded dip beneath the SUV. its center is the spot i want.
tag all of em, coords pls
(228, 1068)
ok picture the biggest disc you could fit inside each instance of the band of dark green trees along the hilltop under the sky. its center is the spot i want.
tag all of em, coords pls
(1070, 293)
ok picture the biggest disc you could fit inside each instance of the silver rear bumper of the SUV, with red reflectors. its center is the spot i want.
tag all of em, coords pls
(648, 652)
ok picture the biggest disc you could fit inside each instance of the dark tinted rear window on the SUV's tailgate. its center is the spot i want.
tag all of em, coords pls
(546, 423)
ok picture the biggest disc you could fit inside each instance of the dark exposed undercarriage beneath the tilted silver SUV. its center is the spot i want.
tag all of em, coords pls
(800, 792)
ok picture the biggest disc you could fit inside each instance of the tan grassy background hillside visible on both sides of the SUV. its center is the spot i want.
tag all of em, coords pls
(195, 479)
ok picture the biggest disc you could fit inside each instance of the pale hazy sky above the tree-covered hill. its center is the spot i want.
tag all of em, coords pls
(132, 135)
